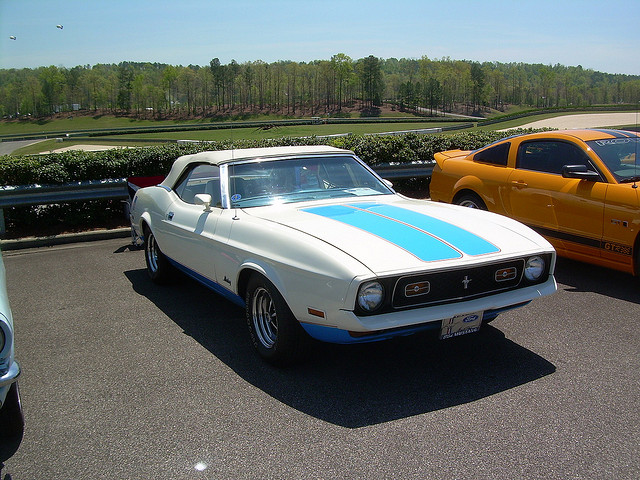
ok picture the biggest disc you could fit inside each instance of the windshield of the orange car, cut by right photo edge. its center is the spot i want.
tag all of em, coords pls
(620, 155)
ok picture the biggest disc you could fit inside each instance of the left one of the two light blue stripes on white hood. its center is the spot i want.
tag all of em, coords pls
(416, 242)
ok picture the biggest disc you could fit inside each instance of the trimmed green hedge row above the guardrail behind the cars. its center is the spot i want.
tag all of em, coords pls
(73, 166)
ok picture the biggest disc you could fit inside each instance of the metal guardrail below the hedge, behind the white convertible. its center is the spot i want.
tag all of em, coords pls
(27, 195)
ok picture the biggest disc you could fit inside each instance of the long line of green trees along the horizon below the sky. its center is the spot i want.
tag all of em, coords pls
(299, 88)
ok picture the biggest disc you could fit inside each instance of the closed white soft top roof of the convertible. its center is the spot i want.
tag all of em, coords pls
(223, 156)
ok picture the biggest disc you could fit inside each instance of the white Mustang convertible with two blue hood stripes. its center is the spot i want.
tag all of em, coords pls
(314, 244)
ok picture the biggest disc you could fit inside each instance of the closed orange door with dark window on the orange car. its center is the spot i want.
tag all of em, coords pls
(568, 211)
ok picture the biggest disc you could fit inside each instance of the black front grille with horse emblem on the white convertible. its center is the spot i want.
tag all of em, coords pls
(454, 285)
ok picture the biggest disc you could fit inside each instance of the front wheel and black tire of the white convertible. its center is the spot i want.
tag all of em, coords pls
(275, 333)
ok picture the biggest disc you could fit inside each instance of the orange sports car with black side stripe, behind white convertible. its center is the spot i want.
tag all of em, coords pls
(578, 188)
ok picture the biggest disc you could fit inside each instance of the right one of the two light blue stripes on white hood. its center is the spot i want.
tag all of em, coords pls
(459, 238)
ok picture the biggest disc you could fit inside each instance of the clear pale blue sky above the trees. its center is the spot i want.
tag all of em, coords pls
(590, 33)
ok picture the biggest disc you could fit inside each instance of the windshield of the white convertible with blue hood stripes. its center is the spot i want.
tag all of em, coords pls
(271, 182)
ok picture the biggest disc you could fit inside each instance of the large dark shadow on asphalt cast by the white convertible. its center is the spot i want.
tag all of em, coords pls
(353, 385)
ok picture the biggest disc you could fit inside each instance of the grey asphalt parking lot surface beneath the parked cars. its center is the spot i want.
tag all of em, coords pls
(123, 379)
